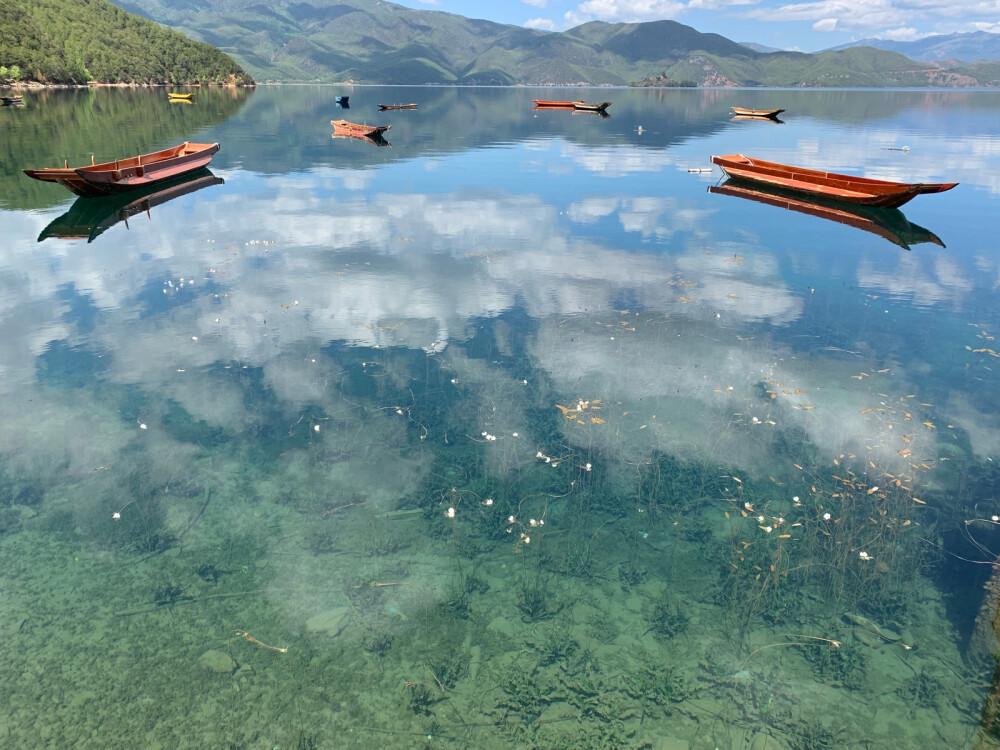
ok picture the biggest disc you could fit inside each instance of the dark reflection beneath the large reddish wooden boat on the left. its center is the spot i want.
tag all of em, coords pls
(88, 218)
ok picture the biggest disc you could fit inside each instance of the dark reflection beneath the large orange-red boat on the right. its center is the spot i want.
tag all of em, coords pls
(889, 223)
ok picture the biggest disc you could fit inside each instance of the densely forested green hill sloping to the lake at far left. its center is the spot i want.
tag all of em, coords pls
(76, 41)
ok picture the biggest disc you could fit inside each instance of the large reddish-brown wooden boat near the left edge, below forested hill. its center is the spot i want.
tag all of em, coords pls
(123, 175)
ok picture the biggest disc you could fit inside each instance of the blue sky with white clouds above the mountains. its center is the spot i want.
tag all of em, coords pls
(804, 25)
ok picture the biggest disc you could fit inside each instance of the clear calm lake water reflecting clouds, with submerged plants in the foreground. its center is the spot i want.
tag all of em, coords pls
(521, 429)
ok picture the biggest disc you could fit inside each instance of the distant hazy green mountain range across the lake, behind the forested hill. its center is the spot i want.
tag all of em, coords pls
(376, 42)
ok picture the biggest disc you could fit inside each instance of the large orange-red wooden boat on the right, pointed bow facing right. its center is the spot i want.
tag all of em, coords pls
(842, 187)
